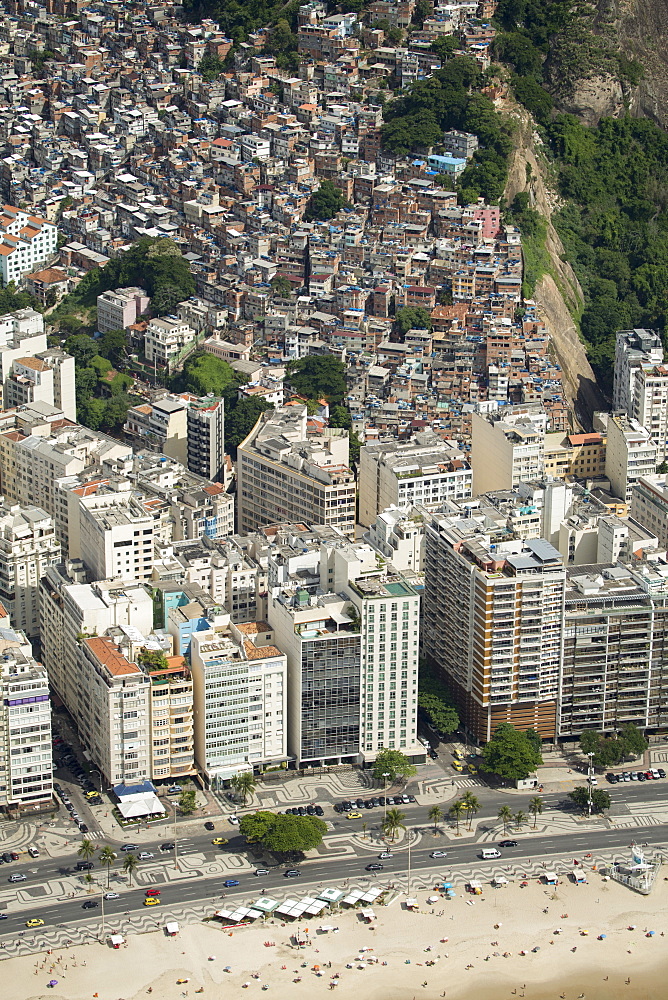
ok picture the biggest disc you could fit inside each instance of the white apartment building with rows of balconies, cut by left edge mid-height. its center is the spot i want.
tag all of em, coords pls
(28, 547)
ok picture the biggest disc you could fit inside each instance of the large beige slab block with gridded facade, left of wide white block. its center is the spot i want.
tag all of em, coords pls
(285, 474)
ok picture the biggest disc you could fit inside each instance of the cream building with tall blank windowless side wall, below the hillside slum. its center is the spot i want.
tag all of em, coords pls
(507, 447)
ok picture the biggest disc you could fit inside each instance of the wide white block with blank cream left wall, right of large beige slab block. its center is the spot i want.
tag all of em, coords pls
(425, 470)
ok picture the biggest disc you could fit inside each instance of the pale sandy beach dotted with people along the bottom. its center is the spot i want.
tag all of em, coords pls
(462, 940)
